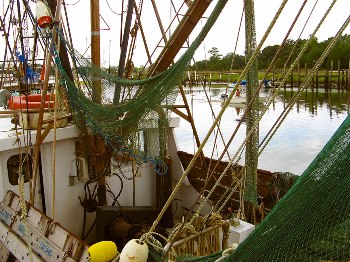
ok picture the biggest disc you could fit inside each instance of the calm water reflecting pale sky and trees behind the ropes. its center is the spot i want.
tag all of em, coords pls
(299, 139)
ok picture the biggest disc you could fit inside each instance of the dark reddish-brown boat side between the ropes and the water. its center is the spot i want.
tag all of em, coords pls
(269, 184)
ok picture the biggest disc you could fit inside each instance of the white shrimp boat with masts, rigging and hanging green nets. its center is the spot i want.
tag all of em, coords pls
(100, 167)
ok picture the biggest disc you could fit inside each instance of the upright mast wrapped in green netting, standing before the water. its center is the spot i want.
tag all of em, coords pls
(251, 154)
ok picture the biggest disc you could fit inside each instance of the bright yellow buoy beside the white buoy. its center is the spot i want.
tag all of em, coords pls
(103, 251)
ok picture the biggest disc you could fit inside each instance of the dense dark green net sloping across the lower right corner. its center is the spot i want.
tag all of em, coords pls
(311, 222)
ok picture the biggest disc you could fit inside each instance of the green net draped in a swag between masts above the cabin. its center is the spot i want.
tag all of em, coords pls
(131, 116)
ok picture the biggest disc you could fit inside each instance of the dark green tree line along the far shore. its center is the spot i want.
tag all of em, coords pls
(290, 51)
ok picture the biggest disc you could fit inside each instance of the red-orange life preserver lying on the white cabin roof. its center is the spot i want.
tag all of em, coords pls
(33, 101)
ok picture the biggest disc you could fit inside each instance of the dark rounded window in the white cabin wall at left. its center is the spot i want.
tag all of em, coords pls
(13, 164)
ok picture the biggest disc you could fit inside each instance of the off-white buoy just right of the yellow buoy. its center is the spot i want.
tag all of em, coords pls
(135, 250)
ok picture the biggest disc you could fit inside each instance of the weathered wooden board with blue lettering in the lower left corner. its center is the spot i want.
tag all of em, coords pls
(47, 239)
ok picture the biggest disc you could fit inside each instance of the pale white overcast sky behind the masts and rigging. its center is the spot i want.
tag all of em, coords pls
(222, 36)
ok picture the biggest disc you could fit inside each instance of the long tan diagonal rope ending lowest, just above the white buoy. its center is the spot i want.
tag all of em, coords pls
(250, 62)
